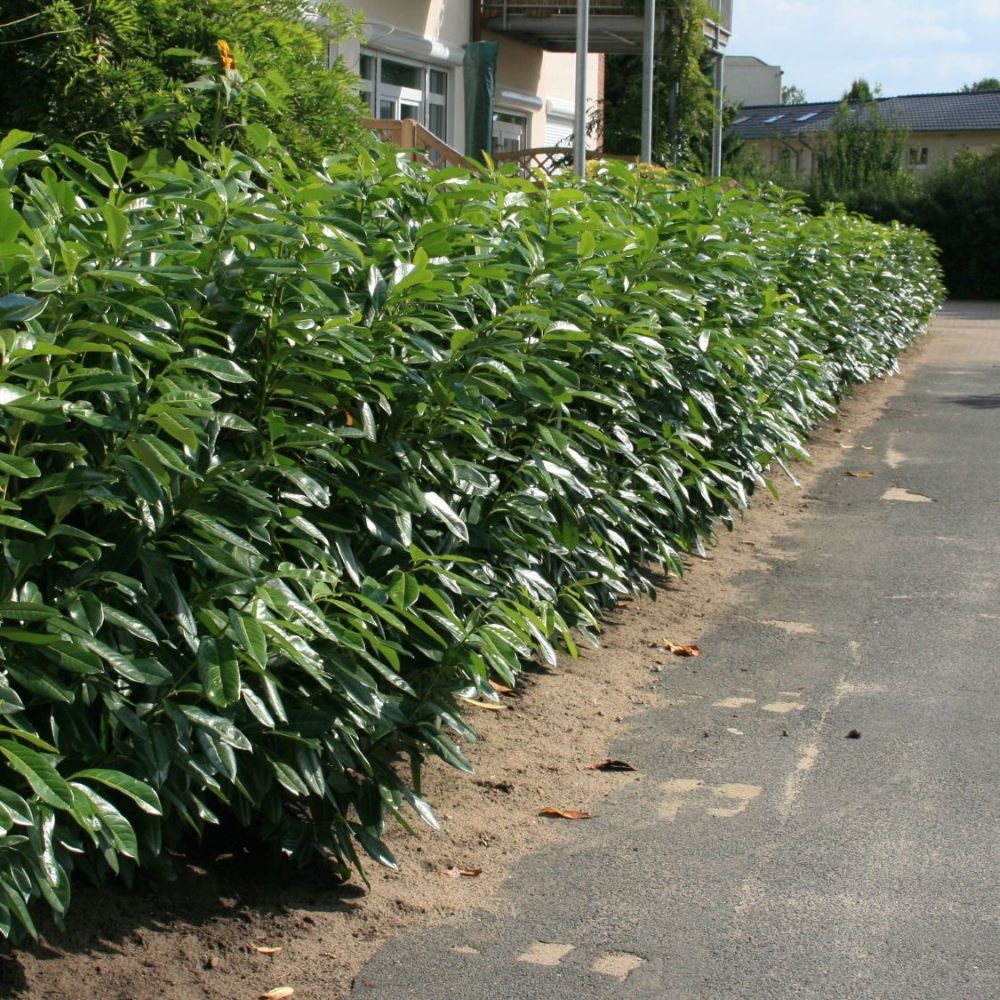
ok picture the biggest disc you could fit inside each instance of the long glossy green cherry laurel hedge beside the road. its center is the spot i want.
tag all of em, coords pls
(290, 461)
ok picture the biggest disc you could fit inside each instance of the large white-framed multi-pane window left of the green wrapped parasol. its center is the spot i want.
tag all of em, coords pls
(396, 88)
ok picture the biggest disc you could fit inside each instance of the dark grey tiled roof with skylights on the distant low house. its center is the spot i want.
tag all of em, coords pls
(978, 112)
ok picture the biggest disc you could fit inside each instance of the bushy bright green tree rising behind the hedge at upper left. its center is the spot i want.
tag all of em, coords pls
(137, 74)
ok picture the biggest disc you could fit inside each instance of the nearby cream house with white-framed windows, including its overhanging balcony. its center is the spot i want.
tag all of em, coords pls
(411, 61)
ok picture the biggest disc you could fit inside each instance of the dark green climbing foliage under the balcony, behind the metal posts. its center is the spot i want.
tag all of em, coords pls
(683, 95)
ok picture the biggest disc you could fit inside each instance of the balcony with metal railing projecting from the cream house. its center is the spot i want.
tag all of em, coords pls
(615, 25)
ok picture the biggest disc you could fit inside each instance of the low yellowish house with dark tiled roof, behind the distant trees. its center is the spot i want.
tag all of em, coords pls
(788, 136)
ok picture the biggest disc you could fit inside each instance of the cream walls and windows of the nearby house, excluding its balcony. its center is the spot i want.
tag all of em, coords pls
(410, 65)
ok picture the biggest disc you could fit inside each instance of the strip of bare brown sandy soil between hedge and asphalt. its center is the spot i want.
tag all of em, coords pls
(236, 926)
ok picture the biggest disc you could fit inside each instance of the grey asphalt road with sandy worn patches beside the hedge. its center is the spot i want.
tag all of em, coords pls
(777, 856)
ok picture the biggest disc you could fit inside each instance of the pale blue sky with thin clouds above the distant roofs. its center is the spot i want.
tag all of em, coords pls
(906, 46)
